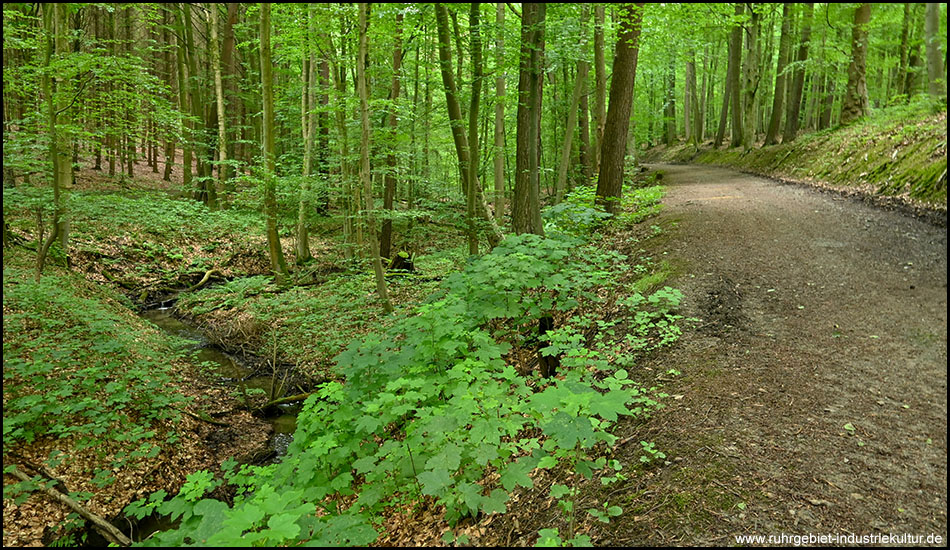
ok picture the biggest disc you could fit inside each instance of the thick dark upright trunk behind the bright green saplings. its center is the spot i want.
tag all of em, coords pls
(526, 206)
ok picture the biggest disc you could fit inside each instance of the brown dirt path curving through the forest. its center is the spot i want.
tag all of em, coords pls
(814, 387)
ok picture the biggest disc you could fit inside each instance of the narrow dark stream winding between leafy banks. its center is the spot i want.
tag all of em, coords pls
(231, 371)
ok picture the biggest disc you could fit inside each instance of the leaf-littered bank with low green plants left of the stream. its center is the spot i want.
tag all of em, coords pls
(90, 400)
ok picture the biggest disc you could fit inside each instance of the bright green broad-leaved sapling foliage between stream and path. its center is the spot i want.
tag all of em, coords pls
(433, 403)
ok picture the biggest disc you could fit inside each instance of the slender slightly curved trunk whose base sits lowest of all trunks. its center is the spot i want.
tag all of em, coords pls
(361, 85)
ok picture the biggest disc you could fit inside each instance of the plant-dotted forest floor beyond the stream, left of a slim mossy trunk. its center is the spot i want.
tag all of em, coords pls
(147, 244)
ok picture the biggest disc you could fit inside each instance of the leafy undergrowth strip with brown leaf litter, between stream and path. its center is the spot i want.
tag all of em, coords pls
(438, 414)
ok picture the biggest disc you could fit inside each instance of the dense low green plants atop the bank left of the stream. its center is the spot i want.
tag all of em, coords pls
(74, 369)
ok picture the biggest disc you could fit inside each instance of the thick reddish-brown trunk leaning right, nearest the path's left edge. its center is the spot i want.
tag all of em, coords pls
(610, 179)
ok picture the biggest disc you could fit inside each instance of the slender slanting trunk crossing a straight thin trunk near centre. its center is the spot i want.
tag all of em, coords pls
(492, 232)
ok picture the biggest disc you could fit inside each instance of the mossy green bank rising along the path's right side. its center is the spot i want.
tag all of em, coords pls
(898, 152)
